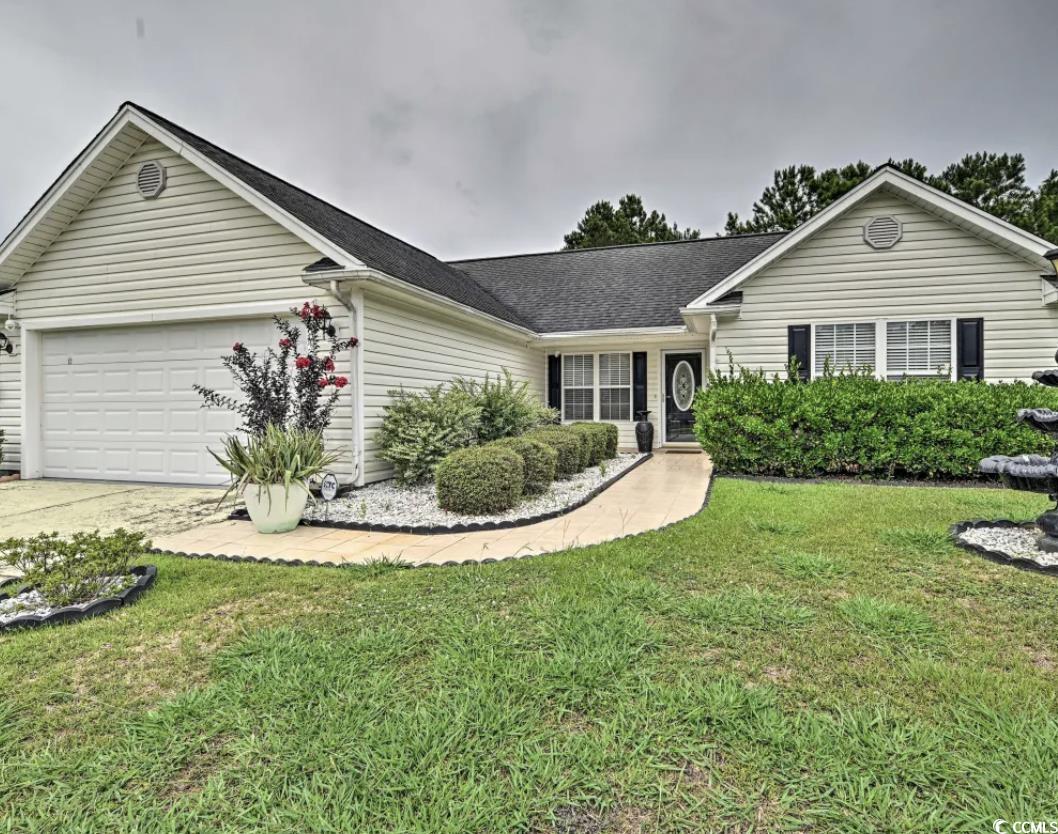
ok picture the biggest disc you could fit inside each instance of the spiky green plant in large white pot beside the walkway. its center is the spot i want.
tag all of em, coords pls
(272, 474)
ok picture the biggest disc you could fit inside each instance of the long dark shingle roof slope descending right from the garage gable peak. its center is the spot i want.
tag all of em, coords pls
(376, 248)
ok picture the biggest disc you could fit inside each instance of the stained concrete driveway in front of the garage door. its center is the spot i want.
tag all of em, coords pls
(30, 507)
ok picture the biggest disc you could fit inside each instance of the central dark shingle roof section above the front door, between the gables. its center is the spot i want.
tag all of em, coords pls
(614, 287)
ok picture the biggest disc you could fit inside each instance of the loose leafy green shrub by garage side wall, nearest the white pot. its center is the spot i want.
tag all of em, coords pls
(421, 429)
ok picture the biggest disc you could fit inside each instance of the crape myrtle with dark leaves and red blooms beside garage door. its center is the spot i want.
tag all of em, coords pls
(293, 387)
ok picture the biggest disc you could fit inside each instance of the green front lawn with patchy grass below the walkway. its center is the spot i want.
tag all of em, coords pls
(794, 659)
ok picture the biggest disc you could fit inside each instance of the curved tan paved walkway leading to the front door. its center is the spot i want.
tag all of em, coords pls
(667, 488)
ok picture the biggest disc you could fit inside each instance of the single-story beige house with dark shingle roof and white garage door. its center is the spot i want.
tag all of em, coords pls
(156, 250)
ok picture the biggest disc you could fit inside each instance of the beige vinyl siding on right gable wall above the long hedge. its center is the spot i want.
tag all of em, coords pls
(937, 270)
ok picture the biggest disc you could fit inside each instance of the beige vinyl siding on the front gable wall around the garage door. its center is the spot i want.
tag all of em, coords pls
(195, 246)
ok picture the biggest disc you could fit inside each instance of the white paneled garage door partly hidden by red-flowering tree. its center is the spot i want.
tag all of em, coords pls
(119, 406)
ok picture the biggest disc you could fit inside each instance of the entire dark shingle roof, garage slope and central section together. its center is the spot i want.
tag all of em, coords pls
(612, 287)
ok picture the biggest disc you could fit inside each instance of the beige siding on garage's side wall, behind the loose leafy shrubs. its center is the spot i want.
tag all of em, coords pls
(414, 348)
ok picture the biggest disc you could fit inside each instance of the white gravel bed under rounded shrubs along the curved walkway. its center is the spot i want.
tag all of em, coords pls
(388, 503)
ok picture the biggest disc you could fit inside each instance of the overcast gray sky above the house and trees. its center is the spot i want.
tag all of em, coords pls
(476, 129)
